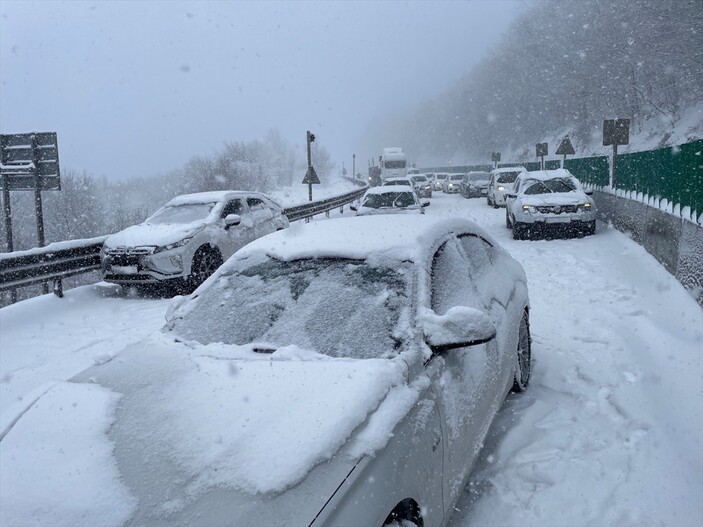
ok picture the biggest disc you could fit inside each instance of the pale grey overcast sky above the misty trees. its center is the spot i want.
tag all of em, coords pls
(138, 88)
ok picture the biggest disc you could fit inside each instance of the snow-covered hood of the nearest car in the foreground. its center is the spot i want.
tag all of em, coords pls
(172, 434)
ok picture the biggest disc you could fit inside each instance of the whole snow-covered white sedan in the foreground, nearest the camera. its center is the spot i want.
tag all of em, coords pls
(338, 373)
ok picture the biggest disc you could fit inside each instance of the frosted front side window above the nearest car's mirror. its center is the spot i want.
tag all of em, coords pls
(451, 282)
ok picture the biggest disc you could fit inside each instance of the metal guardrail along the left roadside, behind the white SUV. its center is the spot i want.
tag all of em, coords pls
(63, 259)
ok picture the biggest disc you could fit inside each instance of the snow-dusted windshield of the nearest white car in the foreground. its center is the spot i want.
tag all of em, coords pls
(339, 307)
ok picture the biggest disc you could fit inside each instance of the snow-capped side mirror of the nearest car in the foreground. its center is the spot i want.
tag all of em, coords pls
(459, 327)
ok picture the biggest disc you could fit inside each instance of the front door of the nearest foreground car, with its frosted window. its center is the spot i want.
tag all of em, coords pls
(461, 378)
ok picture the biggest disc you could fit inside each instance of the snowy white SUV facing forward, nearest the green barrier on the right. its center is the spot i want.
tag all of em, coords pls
(549, 199)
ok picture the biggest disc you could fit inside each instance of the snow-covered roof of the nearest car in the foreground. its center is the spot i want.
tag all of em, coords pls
(401, 237)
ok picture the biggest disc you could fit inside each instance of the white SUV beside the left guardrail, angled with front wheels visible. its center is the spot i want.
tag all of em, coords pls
(187, 239)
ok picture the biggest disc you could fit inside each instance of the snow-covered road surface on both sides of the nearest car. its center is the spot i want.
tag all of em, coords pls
(609, 433)
